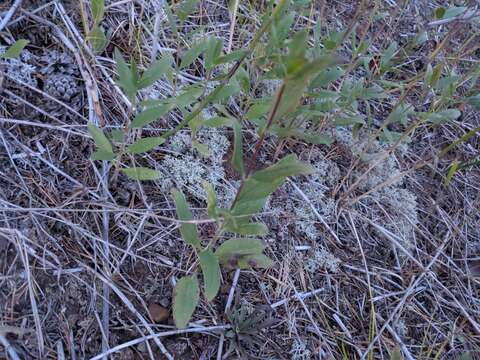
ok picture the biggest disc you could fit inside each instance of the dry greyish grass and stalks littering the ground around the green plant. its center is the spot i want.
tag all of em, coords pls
(84, 251)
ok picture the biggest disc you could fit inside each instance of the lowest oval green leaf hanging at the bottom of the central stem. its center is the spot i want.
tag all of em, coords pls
(185, 300)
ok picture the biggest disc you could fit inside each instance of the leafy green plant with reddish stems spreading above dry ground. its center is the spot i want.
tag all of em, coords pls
(302, 106)
